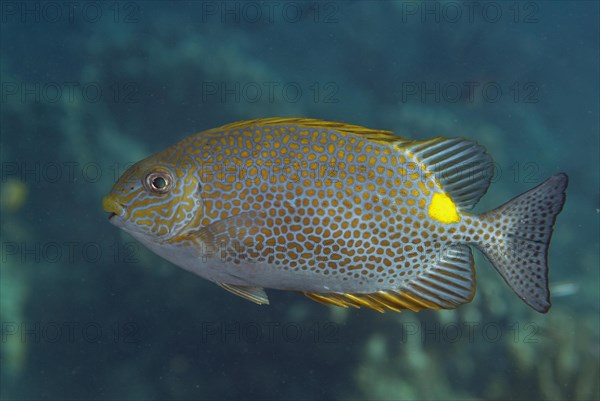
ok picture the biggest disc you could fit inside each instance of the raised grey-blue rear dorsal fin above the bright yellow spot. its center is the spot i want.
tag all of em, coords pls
(462, 167)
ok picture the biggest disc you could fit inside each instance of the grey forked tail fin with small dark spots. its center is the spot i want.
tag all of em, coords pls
(522, 229)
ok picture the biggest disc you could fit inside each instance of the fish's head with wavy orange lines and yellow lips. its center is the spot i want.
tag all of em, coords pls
(155, 199)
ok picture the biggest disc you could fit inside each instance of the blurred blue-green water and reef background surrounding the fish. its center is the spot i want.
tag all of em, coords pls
(89, 314)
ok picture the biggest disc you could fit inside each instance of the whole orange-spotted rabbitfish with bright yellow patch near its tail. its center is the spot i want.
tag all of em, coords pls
(346, 215)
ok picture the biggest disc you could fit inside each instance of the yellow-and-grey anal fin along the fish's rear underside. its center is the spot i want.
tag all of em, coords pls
(448, 283)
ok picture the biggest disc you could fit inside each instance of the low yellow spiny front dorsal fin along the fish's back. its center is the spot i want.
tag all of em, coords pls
(367, 133)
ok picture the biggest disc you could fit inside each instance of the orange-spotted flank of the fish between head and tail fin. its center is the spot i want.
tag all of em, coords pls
(329, 203)
